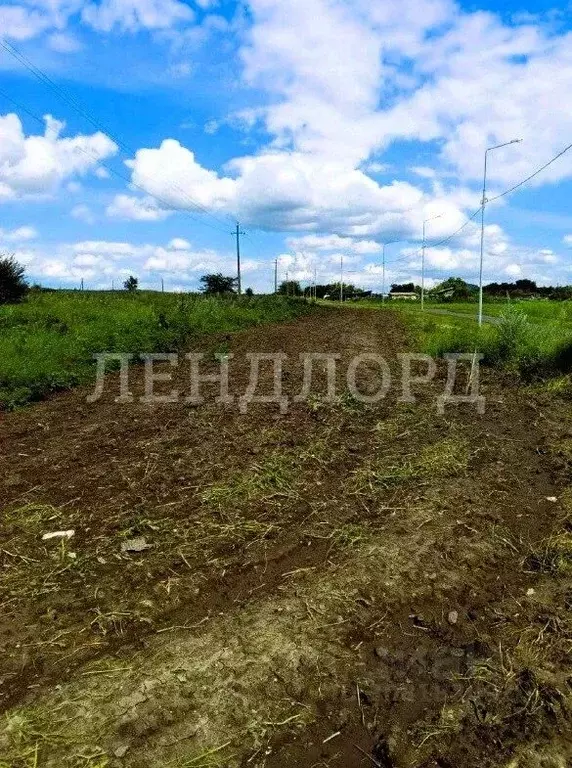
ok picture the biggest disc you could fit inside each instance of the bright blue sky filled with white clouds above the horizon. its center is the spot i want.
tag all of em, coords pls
(327, 127)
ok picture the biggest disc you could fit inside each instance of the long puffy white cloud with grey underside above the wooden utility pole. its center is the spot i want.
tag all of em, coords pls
(278, 191)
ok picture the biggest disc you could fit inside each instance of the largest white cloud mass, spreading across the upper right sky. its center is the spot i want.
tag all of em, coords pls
(419, 69)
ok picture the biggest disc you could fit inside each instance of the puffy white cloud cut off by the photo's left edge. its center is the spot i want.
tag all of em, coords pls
(36, 165)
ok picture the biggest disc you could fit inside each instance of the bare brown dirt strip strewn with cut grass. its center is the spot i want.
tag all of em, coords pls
(342, 585)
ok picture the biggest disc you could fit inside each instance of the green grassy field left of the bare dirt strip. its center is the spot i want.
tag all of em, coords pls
(47, 343)
